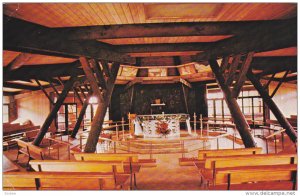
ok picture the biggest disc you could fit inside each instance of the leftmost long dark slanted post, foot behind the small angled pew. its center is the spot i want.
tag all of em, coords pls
(68, 86)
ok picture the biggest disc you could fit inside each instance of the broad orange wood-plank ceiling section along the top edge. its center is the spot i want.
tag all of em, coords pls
(87, 14)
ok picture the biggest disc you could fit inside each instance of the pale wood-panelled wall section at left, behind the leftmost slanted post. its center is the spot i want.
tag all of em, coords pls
(35, 108)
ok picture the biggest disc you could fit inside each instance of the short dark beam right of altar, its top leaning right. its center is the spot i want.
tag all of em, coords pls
(242, 75)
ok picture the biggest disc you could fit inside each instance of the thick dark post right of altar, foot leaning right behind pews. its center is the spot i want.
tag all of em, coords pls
(237, 115)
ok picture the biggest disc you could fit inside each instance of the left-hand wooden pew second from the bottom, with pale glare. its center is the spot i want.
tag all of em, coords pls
(115, 168)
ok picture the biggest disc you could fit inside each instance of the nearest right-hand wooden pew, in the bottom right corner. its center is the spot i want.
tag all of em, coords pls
(269, 177)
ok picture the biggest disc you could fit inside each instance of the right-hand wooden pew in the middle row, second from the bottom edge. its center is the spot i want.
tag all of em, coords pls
(208, 169)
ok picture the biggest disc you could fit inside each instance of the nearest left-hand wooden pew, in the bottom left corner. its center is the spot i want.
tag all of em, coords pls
(61, 181)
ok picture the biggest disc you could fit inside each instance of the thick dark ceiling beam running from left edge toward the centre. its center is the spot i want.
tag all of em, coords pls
(20, 35)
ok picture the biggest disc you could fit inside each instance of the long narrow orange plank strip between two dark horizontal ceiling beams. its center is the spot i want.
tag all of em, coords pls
(159, 40)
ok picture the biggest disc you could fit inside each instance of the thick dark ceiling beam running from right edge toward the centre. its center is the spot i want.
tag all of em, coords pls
(261, 38)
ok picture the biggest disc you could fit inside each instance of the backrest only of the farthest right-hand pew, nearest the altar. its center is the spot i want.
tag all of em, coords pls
(203, 154)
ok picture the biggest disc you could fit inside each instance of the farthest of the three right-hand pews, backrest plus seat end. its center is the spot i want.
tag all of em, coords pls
(203, 154)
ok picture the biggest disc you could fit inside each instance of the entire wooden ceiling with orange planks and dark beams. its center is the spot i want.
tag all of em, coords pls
(148, 34)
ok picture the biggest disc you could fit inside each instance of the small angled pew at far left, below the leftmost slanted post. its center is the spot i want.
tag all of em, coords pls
(32, 151)
